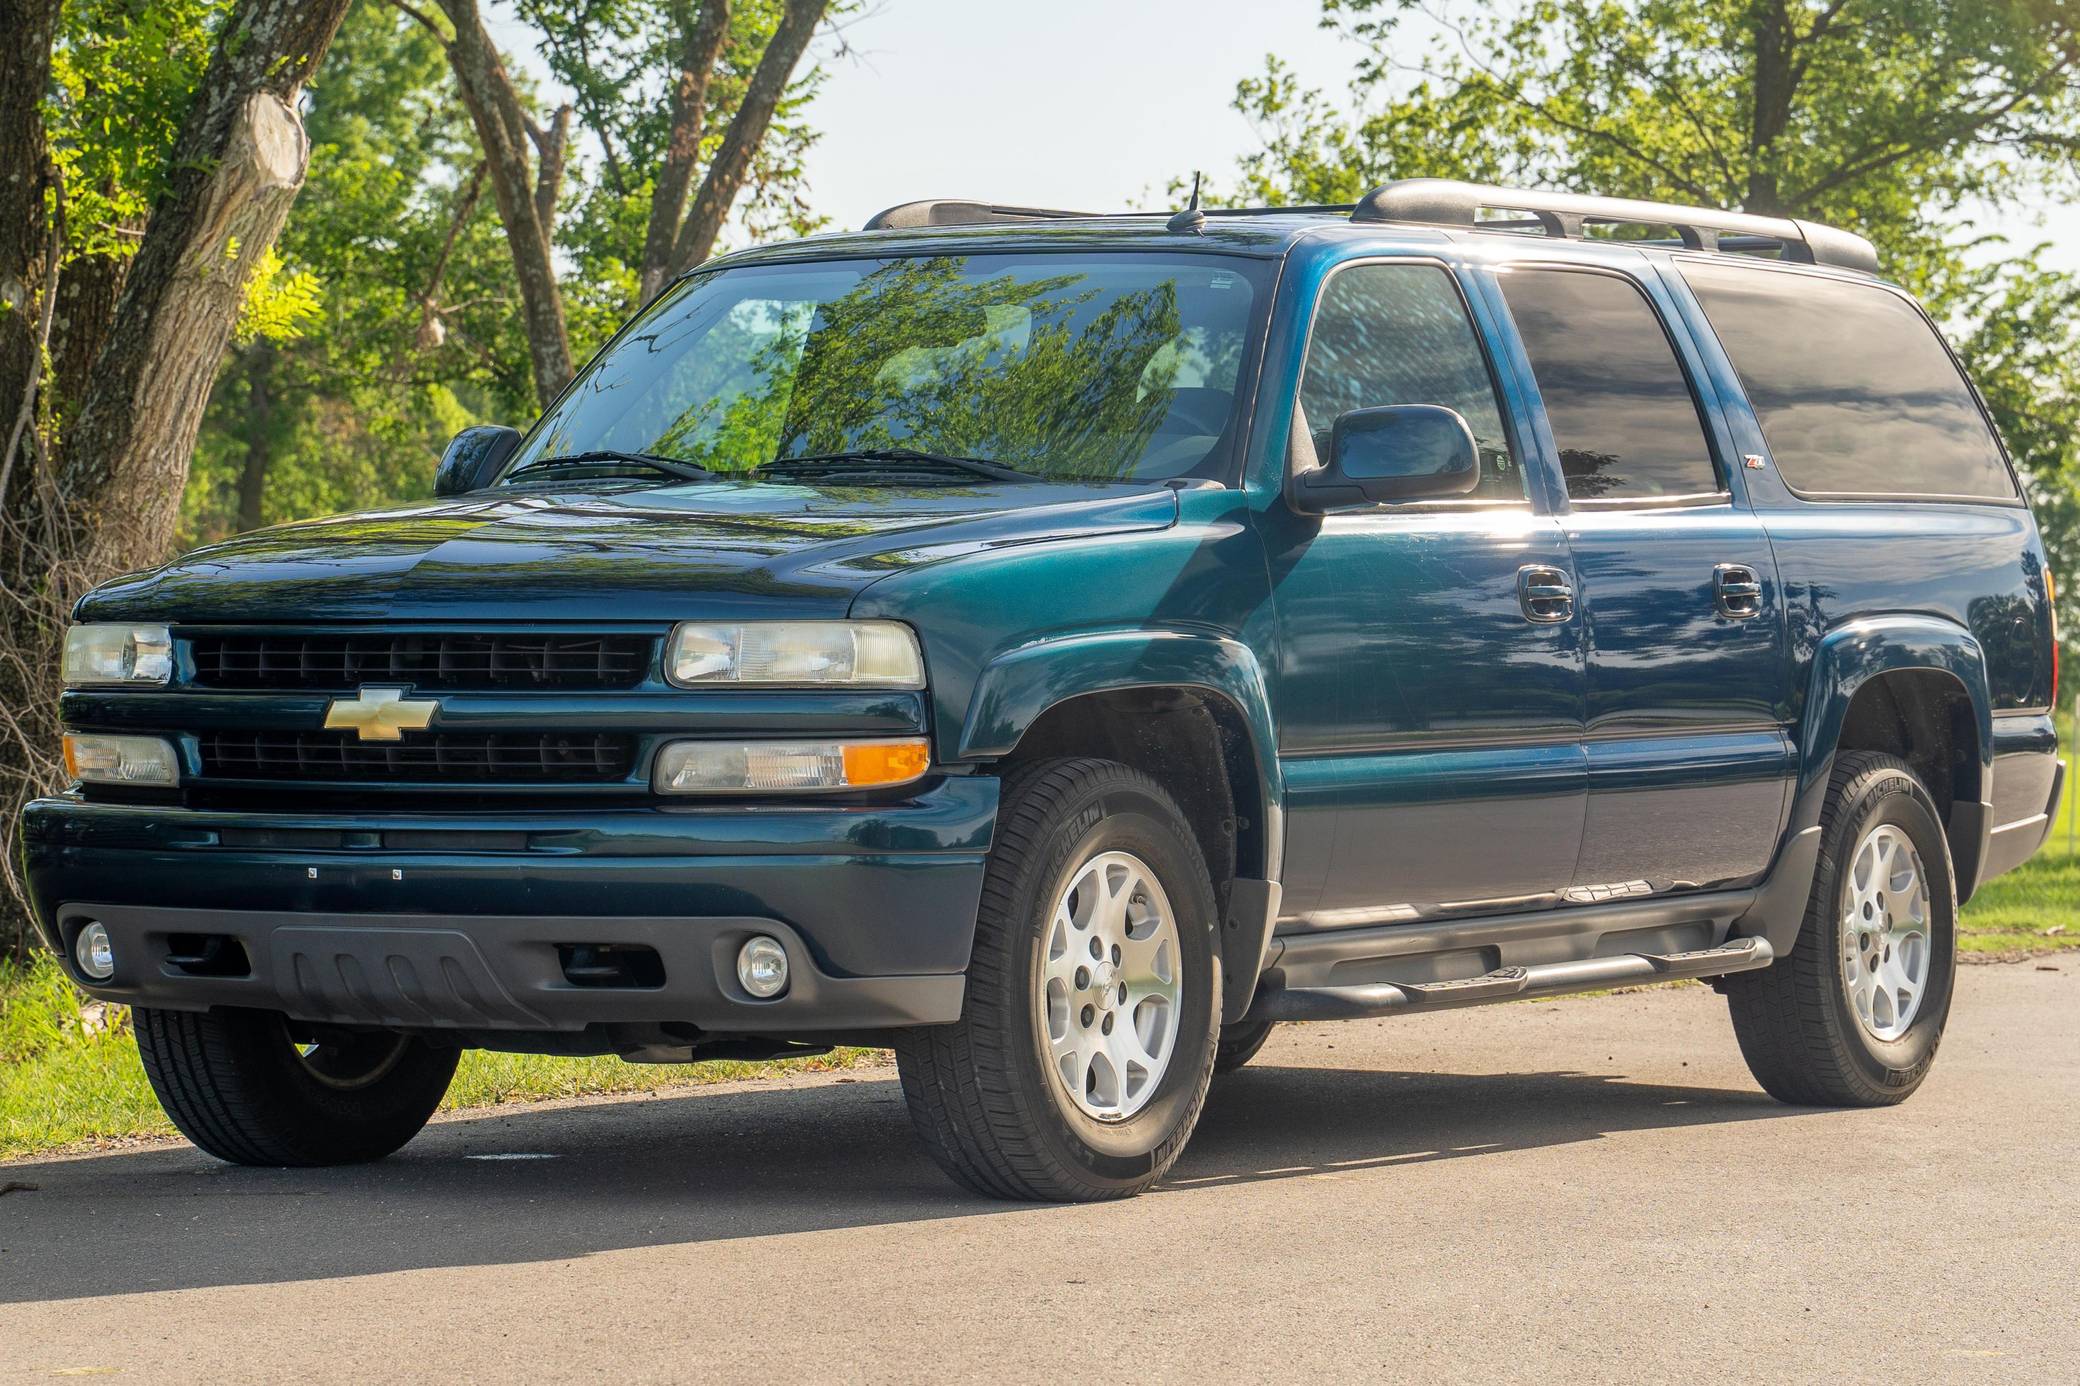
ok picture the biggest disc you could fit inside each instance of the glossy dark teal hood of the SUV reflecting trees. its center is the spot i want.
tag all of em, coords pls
(621, 553)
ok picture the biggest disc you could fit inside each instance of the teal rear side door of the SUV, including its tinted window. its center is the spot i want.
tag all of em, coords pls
(1688, 667)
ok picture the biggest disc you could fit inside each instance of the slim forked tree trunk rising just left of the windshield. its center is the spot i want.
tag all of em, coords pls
(525, 201)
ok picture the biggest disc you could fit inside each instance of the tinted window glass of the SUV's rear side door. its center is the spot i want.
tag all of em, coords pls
(1617, 401)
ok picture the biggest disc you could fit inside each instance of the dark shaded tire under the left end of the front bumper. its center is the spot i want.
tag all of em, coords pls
(242, 1089)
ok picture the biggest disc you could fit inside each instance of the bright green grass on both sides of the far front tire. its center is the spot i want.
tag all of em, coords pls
(72, 1079)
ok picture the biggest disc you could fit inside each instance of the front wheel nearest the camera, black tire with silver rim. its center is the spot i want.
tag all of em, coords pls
(1083, 1056)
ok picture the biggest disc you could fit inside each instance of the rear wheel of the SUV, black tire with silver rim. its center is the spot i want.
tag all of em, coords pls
(1854, 1015)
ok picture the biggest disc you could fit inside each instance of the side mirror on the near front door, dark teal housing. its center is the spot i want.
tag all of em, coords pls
(1397, 453)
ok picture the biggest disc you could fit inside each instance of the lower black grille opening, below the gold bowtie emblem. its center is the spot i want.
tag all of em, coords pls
(463, 759)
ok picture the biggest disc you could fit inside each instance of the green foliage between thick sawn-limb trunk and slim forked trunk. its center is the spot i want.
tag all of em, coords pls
(382, 361)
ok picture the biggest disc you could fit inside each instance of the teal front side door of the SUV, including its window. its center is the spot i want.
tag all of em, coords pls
(1430, 663)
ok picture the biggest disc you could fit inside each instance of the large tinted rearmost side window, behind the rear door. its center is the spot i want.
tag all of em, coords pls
(1854, 390)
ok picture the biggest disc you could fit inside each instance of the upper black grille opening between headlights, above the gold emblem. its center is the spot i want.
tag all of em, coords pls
(450, 663)
